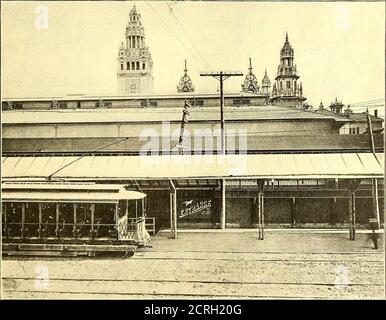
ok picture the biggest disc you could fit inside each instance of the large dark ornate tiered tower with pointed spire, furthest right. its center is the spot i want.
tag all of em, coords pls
(286, 91)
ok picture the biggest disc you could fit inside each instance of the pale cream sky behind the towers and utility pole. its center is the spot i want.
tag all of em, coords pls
(339, 47)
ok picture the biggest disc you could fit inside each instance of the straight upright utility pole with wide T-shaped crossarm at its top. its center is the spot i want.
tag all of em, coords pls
(222, 76)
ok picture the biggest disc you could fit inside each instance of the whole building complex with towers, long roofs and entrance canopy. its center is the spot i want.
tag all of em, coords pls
(285, 164)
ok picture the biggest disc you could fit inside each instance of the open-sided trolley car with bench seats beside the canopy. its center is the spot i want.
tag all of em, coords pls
(71, 219)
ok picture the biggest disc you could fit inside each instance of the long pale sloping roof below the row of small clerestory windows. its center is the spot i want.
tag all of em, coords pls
(140, 115)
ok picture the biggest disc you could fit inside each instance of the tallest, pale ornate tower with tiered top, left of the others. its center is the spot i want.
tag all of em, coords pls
(135, 66)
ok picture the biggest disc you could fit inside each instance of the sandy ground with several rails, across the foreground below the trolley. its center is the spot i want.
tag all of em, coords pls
(173, 274)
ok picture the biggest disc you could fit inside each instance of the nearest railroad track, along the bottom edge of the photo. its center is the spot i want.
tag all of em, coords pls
(190, 289)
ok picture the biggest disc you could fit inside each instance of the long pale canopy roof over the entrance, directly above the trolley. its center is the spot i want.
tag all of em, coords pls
(248, 166)
